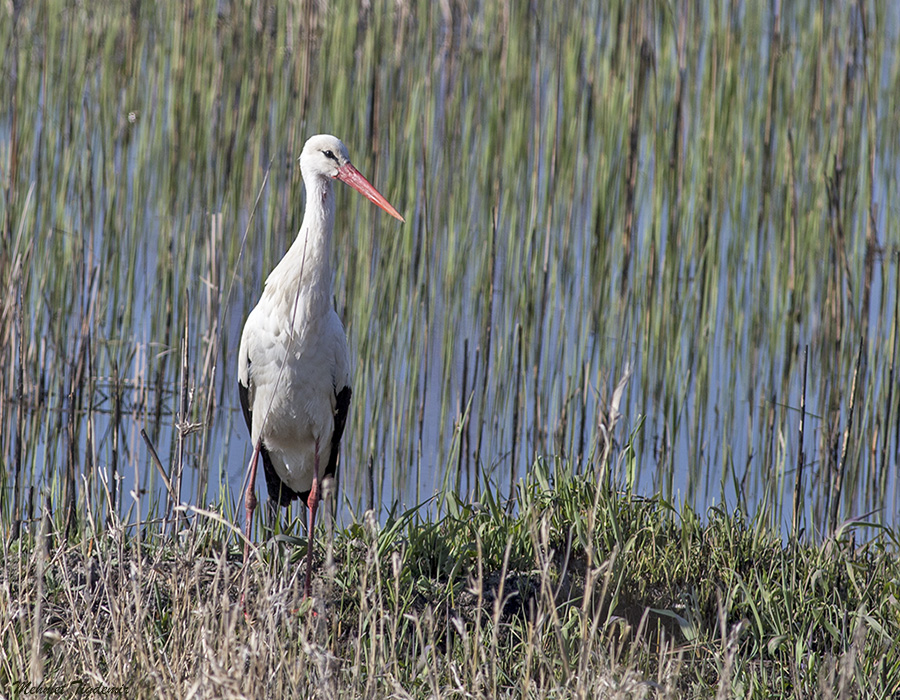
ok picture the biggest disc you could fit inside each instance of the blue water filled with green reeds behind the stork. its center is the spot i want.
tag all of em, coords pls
(174, 185)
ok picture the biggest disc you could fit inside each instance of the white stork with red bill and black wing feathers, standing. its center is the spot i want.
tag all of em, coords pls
(293, 363)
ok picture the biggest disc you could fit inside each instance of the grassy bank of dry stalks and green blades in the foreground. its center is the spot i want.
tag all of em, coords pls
(585, 592)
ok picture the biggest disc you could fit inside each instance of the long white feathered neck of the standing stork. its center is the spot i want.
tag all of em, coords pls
(304, 273)
